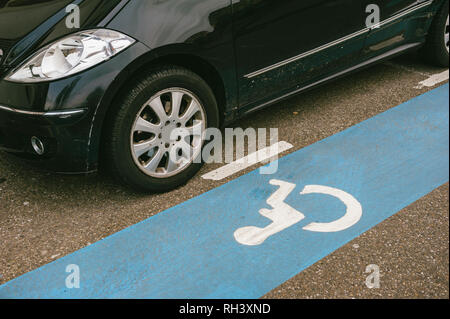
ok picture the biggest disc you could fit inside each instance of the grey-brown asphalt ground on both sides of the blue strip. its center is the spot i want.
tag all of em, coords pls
(44, 216)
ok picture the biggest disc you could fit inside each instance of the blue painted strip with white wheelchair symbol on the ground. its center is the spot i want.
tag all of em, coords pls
(248, 236)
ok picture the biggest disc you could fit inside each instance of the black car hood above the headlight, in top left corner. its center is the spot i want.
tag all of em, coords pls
(26, 25)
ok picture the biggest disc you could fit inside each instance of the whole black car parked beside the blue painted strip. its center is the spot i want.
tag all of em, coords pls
(90, 83)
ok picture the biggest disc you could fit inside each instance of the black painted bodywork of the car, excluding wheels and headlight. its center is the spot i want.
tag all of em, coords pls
(254, 51)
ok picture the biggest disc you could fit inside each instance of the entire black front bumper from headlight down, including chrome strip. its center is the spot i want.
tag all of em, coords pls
(66, 114)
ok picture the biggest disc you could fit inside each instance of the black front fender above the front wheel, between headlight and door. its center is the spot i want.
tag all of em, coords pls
(203, 29)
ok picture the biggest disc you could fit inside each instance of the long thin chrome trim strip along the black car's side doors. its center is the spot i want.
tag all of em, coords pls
(338, 41)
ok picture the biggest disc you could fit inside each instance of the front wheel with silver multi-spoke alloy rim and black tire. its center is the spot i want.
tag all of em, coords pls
(172, 88)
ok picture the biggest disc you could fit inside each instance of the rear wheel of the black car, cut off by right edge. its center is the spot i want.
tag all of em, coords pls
(436, 50)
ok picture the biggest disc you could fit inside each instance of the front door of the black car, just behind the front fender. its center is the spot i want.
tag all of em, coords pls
(284, 44)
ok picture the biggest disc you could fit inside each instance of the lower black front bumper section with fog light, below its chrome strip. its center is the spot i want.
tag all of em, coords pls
(61, 133)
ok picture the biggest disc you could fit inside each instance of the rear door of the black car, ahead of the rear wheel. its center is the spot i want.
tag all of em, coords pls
(396, 26)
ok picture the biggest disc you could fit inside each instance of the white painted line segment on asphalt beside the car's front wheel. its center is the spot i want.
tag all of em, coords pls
(264, 154)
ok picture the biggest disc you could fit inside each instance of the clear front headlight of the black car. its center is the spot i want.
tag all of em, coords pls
(71, 55)
